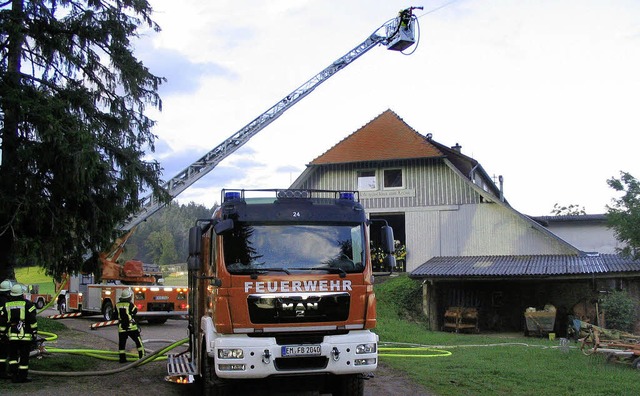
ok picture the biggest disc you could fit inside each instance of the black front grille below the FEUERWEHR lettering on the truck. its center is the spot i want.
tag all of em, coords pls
(286, 308)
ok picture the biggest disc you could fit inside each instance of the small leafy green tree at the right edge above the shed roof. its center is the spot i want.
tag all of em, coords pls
(623, 216)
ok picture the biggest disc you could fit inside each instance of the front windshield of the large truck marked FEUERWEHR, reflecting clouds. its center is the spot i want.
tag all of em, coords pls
(253, 248)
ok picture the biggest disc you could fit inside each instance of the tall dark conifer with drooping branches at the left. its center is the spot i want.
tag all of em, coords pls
(73, 129)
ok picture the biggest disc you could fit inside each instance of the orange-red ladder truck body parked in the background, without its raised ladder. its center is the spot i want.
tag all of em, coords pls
(155, 302)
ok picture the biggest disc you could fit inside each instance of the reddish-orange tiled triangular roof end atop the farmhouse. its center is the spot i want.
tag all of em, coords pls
(386, 137)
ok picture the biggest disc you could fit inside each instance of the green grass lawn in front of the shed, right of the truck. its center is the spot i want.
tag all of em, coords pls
(486, 365)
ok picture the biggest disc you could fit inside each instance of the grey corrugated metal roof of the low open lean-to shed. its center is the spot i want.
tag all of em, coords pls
(522, 266)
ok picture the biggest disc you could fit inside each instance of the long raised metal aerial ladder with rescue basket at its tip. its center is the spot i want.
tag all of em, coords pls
(397, 34)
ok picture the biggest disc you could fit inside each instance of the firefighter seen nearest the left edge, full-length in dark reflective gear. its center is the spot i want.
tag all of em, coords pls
(22, 329)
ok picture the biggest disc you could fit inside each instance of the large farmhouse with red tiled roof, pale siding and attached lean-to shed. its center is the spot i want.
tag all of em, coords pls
(464, 241)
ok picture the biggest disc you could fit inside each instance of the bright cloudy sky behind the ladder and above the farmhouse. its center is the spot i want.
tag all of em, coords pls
(545, 93)
